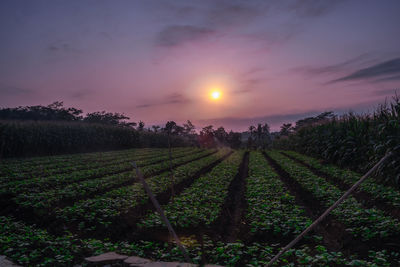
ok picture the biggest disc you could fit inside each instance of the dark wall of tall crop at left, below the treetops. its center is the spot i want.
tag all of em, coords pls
(31, 138)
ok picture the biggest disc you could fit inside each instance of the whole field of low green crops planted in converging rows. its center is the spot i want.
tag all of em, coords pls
(229, 207)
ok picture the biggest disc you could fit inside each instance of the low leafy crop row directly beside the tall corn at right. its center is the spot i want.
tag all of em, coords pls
(378, 191)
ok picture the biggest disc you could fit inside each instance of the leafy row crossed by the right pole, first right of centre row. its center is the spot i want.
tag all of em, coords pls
(369, 224)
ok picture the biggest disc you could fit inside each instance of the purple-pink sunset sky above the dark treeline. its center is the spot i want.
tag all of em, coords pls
(158, 60)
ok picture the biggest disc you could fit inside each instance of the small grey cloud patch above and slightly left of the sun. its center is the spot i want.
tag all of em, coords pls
(178, 34)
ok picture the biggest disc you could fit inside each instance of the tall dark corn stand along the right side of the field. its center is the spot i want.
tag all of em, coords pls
(354, 141)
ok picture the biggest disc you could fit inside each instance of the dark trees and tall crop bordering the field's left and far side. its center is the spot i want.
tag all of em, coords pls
(55, 129)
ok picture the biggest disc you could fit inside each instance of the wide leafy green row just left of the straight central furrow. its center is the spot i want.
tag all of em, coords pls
(200, 204)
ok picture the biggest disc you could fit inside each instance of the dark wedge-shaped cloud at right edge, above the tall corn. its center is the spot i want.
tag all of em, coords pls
(386, 68)
